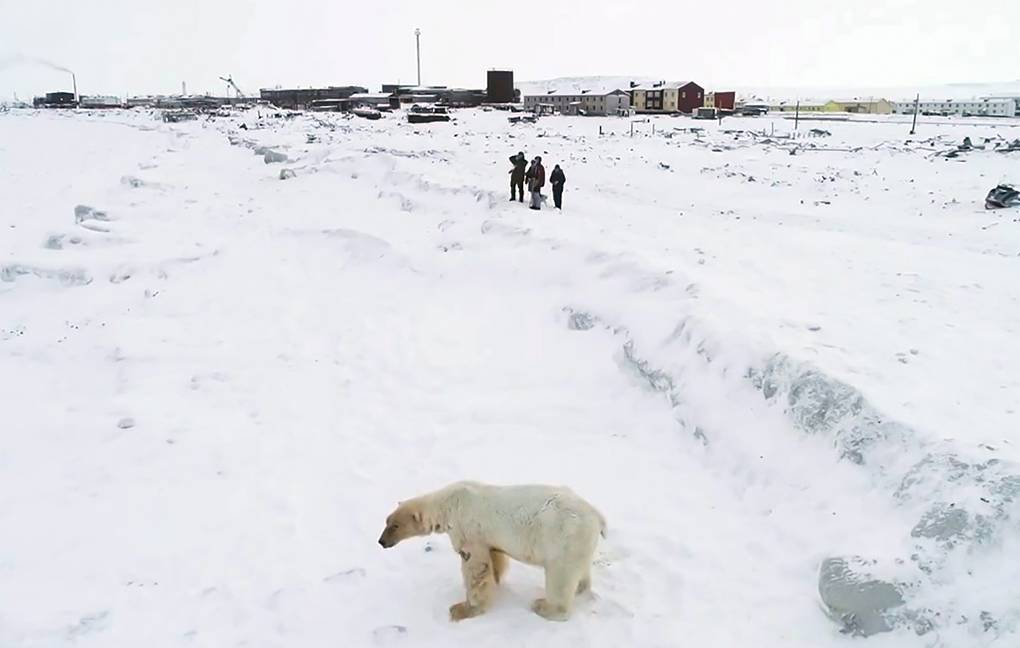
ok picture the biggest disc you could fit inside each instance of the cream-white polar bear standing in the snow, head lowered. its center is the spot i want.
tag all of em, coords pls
(546, 526)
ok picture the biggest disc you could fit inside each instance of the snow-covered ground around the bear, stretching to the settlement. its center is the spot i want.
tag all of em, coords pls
(753, 352)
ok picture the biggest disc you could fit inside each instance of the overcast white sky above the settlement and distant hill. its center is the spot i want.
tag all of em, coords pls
(150, 46)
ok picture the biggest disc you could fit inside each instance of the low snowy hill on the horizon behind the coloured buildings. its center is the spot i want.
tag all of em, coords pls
(948, 91)
